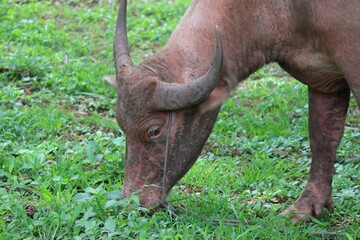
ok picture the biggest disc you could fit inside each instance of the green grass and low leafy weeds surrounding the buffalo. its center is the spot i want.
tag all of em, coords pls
(62, 153)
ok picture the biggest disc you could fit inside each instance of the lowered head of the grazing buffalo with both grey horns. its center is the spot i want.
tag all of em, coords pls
(165, 129)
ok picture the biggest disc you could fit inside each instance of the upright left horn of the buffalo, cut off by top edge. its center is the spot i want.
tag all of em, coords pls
(121, 45)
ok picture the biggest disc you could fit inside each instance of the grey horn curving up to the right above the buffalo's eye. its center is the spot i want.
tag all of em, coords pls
(173, 96)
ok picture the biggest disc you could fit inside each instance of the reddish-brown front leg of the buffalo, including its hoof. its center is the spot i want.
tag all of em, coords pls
(327, 113)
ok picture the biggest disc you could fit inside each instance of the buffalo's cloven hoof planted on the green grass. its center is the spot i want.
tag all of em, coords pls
(310, 204)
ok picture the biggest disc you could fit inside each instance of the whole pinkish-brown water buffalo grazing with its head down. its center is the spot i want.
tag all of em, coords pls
(167, 105)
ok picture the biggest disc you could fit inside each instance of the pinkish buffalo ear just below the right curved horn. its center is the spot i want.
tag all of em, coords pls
(216, 98)
